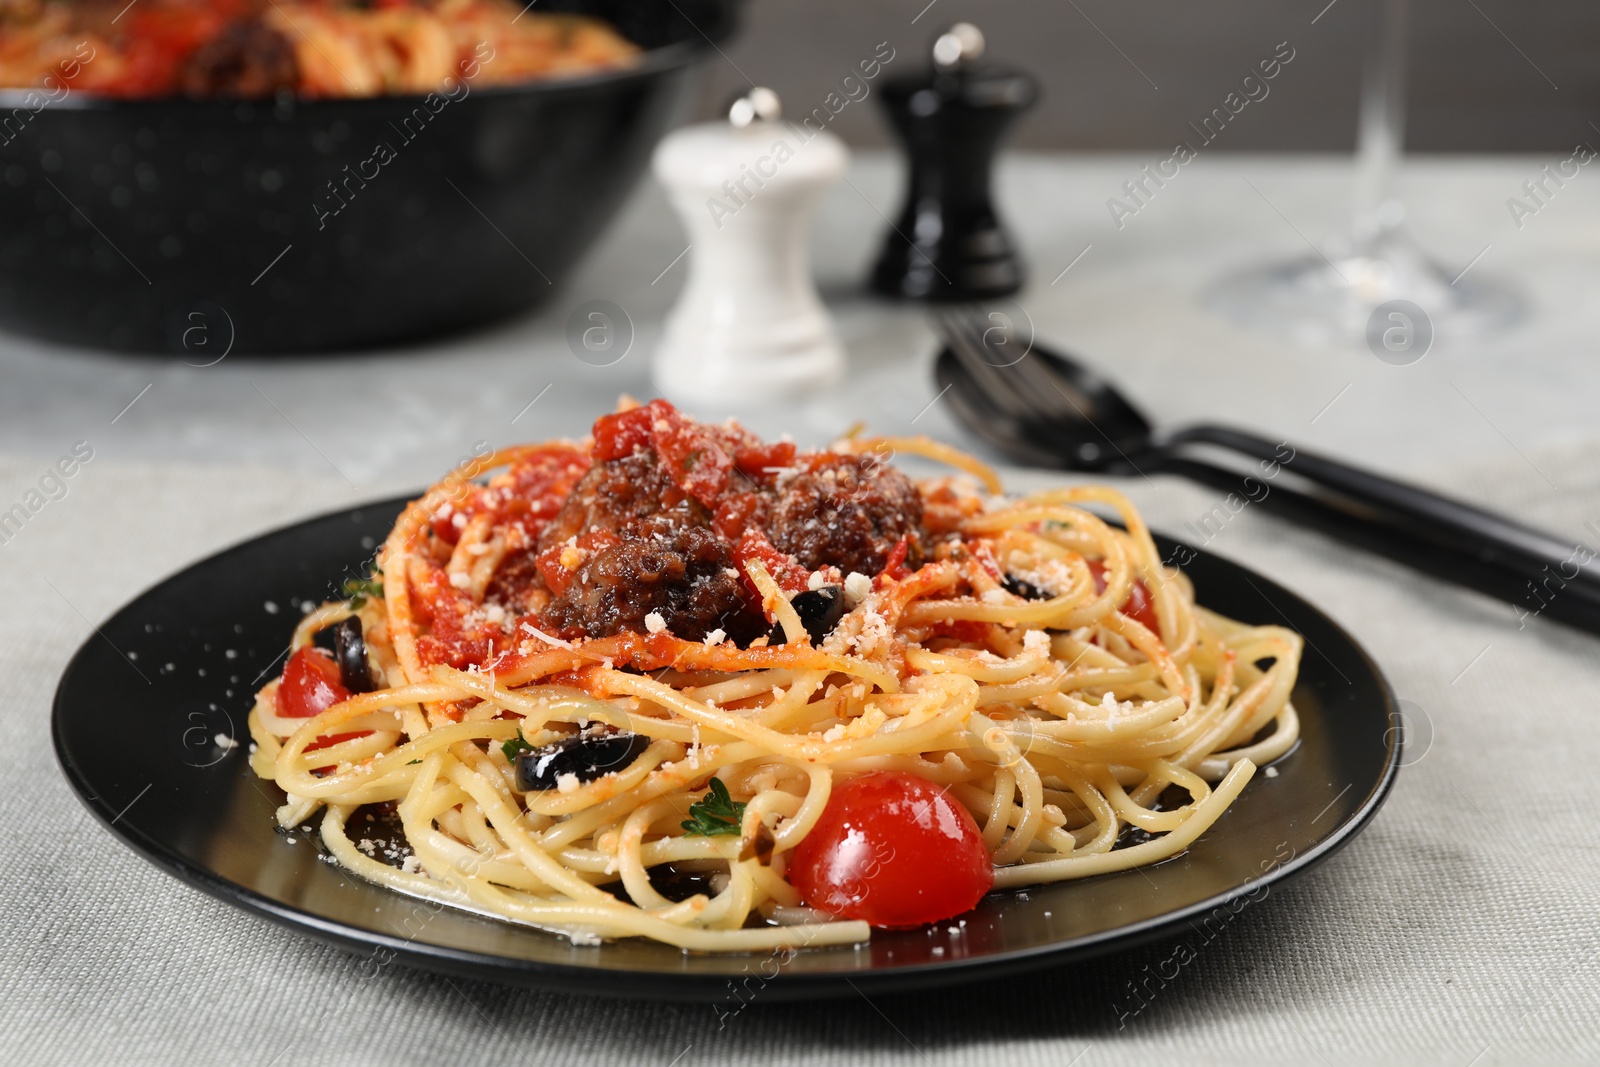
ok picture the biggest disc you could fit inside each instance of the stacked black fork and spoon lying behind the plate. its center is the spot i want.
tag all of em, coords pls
(1047, 410)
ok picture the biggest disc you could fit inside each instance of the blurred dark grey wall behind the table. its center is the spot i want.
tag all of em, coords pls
(1486, 74)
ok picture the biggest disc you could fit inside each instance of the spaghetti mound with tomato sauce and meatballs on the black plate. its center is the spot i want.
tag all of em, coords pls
(1030, 658)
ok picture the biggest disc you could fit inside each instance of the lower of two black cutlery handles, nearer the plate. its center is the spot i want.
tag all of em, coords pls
(1575, 604)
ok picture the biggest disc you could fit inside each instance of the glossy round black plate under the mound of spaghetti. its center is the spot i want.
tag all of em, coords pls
(142, 701)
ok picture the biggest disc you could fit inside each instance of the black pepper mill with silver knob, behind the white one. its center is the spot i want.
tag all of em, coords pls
(950, 244)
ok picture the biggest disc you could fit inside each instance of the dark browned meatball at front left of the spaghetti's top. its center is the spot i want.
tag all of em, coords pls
(668, 564)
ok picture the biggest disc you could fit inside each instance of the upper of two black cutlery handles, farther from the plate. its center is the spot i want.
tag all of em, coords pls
(1430, 518)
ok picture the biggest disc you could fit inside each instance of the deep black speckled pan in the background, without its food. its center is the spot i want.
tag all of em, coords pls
(204, 228)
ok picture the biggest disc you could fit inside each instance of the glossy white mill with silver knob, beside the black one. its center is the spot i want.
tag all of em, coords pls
(750, 326)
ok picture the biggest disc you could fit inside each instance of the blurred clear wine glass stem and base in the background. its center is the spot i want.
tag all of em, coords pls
(1330, 300)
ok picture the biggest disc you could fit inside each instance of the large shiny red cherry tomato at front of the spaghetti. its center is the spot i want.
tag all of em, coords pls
(895, 850)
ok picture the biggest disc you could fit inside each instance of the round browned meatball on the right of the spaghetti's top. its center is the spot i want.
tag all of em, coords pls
(849, 511)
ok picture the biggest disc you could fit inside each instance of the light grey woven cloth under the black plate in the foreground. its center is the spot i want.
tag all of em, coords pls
(1460, 929)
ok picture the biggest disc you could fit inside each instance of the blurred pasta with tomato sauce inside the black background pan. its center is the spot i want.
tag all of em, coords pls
(314, 49)
